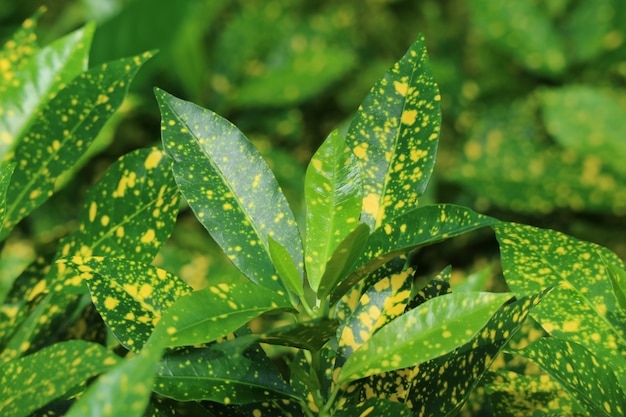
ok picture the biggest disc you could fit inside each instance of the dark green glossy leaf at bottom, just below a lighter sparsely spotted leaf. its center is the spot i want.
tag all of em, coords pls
(220, 374)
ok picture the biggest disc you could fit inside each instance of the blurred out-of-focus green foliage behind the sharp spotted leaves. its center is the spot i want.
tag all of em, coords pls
(533, 99)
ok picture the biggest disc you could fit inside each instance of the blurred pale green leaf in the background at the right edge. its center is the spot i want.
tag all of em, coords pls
(589, 122)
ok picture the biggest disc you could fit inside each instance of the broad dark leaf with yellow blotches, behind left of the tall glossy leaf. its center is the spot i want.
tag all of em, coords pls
(129, 213)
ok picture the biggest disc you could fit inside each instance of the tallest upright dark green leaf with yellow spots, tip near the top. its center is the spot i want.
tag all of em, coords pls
(394, 137)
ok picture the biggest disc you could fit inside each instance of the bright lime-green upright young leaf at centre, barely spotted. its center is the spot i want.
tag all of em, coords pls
(333, 196)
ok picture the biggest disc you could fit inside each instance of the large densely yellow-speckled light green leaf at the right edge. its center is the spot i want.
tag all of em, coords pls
(582, 308)
